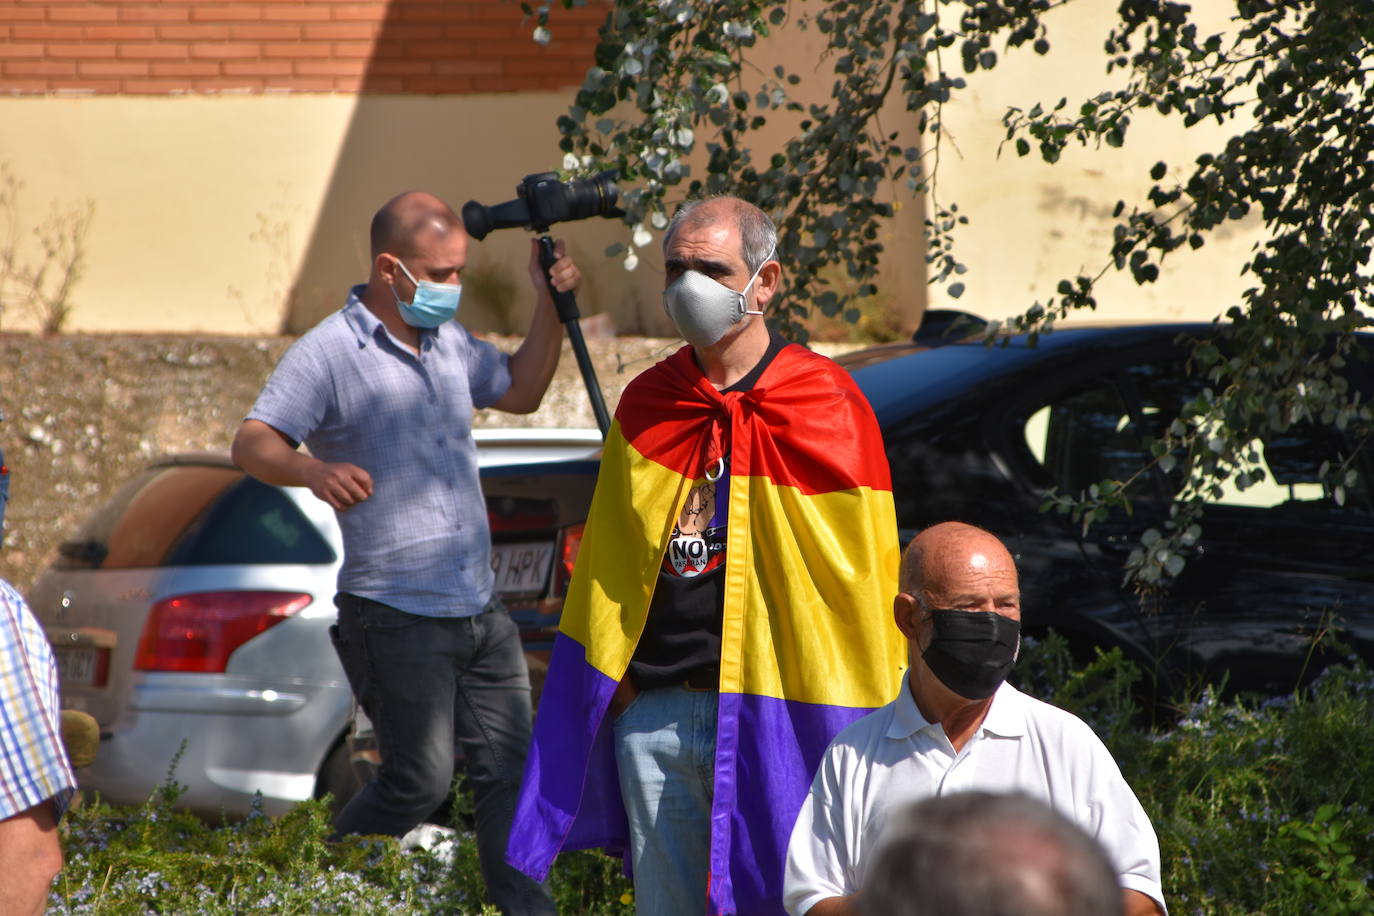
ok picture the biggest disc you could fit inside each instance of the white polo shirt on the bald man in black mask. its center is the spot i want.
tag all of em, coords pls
(894, 756)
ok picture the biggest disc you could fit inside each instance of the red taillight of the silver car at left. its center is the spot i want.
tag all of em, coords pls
(199, 632)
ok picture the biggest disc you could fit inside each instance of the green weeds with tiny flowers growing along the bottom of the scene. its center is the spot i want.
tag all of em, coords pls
(1262, 807)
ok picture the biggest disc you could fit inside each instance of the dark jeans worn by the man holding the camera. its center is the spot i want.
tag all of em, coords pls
(428, 683)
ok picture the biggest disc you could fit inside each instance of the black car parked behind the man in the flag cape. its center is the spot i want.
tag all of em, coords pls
(982, 433)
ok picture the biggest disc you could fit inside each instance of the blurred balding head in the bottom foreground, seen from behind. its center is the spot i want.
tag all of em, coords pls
(984, 855)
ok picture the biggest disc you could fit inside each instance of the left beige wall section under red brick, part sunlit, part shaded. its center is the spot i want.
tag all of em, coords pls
(219, 214)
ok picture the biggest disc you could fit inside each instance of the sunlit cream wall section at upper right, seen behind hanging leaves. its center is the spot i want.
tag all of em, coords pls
(1033, 225)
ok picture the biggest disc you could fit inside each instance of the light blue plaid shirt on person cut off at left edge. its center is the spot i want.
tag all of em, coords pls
(34, 763)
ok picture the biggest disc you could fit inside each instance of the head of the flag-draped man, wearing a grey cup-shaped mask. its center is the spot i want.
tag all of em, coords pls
(722, 270)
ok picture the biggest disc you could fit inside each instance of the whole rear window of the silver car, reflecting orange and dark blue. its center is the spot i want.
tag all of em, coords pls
(194, 516)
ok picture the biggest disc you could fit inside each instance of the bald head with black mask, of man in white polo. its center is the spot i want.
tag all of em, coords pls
(960, 608)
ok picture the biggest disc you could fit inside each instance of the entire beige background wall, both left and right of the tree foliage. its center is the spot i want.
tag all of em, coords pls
(248, 214)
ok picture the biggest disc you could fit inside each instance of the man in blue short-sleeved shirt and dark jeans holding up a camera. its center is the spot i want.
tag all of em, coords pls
(383, 393)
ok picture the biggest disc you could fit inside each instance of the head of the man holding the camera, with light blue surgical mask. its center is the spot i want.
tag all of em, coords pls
(420, 249)
